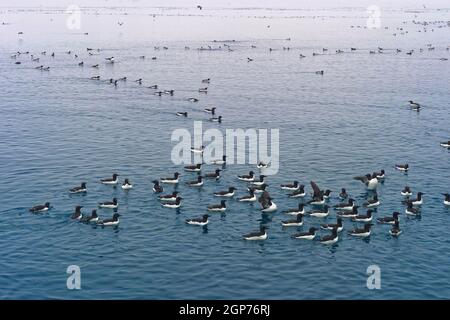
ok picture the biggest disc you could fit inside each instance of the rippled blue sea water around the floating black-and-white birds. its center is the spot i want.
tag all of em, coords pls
(59, 128)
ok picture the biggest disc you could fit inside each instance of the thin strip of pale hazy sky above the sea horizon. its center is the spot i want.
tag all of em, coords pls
(234, 3)
